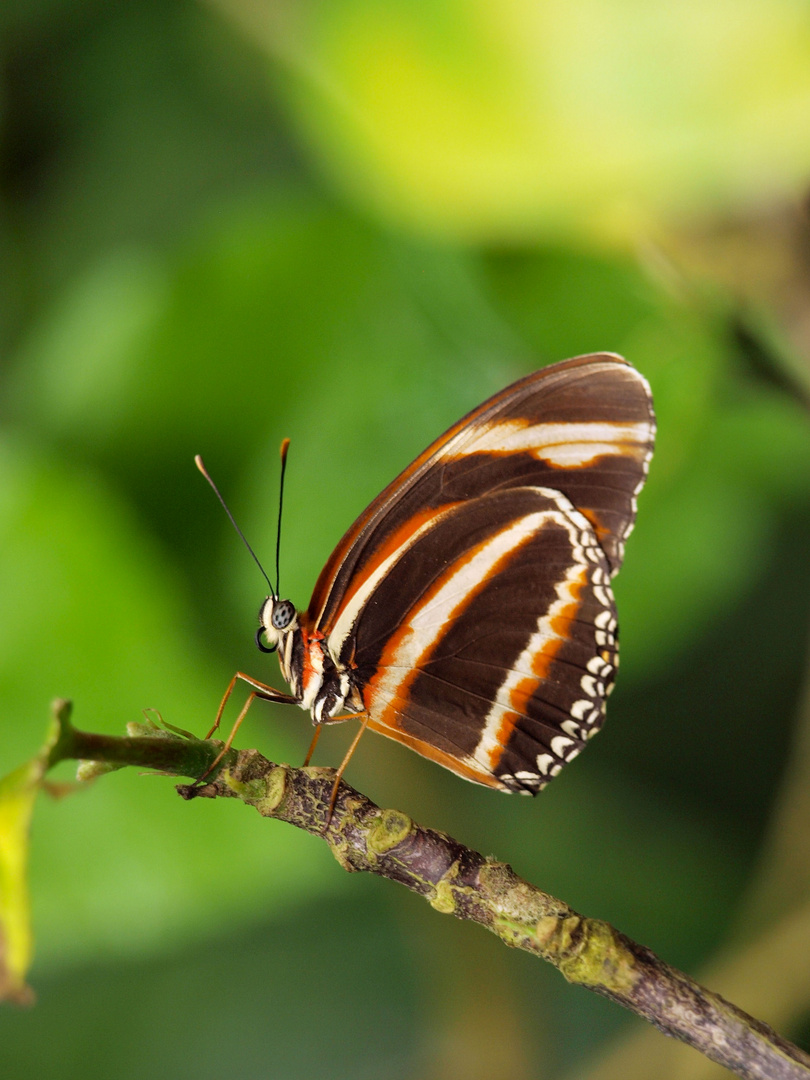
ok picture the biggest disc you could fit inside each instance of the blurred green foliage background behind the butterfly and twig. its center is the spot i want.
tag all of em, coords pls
(348, 224)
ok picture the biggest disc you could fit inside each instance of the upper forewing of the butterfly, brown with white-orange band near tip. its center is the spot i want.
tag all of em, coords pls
(585, 428)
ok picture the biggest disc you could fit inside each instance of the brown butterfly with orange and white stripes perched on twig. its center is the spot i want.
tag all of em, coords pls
(468, 612)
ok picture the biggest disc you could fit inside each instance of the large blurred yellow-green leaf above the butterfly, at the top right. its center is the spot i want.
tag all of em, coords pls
(507, 121)
